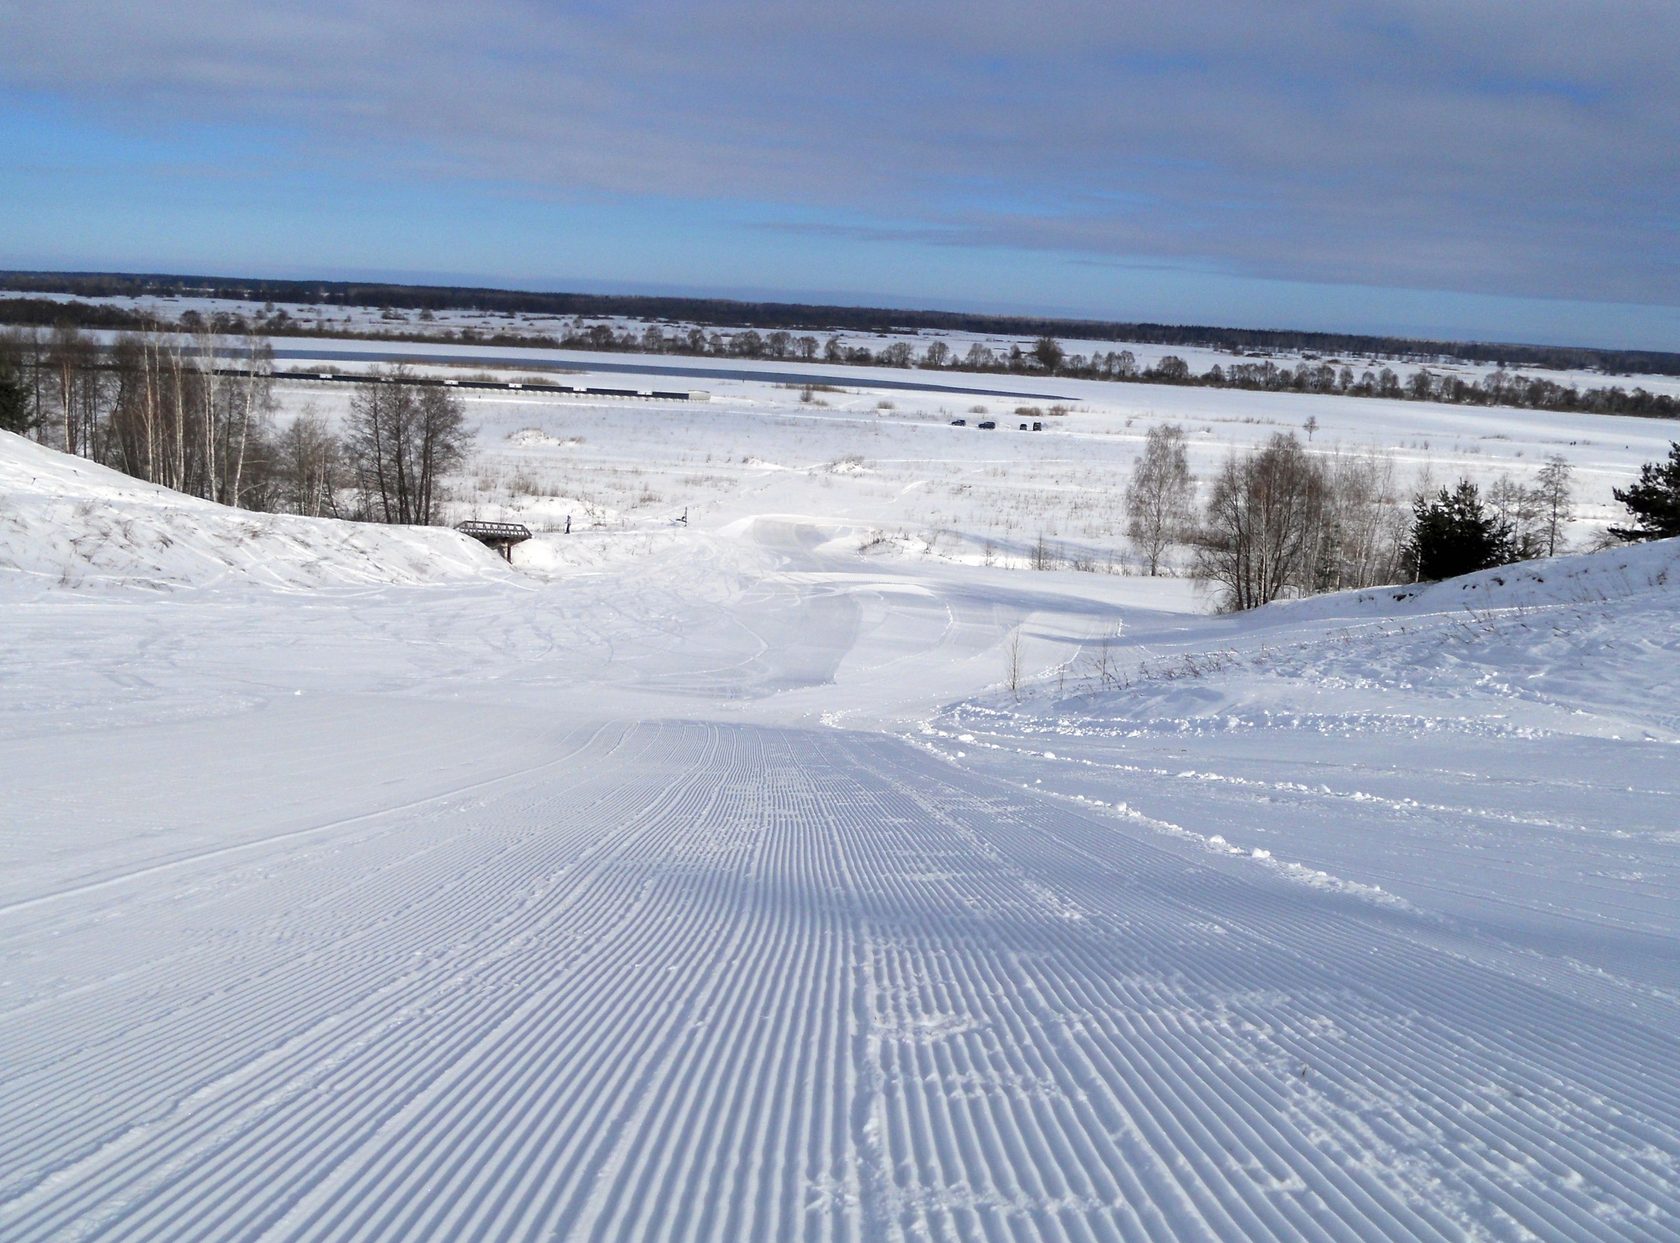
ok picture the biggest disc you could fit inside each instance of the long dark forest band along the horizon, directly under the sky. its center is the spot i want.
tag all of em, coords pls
(801, 317)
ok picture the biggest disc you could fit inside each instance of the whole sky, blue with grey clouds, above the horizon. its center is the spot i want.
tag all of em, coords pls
(1496, 170)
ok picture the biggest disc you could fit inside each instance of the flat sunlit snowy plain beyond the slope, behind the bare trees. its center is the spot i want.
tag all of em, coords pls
(890, 464)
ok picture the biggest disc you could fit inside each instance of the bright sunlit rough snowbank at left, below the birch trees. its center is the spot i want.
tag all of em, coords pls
(71, 523)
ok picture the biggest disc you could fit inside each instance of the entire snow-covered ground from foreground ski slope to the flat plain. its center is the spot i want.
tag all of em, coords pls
(703, 881)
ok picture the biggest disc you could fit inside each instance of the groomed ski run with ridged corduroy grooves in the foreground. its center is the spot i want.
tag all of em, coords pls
(725, 982)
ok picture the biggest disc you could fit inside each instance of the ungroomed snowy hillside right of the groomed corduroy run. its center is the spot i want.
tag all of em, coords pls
(1501, 747)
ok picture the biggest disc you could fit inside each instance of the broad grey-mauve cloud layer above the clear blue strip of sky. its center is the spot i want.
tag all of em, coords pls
(1508, 149)
